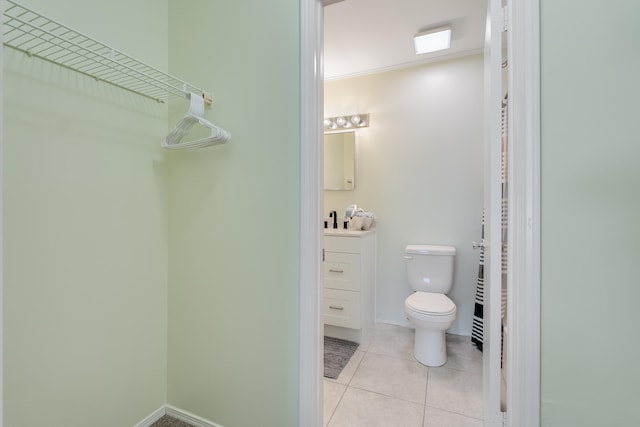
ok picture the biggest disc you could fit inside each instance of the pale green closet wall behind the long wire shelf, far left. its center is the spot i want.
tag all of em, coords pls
(85, 223)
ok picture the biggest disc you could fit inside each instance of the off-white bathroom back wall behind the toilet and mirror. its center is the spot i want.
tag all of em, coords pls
(419, 168)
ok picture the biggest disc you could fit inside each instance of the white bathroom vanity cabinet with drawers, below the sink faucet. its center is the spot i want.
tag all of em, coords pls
(349, 283)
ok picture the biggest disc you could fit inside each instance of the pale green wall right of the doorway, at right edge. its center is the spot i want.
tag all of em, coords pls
(590, 213)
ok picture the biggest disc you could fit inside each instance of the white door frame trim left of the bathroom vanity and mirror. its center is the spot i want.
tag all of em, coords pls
(311, 200)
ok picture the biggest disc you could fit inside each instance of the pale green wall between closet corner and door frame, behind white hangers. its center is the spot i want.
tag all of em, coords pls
(234, 226)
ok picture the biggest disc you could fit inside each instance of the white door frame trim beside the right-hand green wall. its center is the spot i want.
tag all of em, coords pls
(523, 304)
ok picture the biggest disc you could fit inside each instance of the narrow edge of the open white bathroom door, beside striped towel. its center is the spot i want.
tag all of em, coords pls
(492, 202)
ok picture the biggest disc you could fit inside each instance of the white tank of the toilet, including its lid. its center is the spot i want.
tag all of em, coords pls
(430, 267)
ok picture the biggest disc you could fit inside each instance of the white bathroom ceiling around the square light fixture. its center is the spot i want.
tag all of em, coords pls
(370, 36)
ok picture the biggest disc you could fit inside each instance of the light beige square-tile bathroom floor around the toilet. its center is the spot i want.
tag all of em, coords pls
(383, 385)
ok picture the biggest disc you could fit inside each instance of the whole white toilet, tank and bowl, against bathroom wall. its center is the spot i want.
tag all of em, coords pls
(429, 309)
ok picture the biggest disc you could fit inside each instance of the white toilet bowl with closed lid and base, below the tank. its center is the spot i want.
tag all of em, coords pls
(431, 314)
